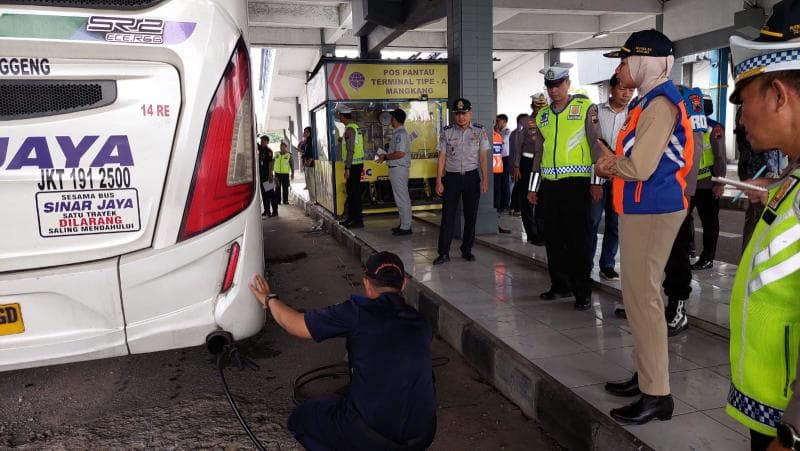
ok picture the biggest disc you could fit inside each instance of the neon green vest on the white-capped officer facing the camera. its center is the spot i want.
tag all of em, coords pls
(566, 149)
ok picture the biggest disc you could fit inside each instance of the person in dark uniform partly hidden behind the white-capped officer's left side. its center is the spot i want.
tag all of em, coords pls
(533, 223)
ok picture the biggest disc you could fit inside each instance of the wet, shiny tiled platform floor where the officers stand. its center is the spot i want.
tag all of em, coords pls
(581, 350)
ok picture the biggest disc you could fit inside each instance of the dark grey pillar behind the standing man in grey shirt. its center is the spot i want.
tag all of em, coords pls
(469, 61)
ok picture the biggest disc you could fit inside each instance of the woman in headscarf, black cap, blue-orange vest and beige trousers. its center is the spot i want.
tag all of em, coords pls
(653, 156)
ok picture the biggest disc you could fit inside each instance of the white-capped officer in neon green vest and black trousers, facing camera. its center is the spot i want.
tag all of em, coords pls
(564, 160)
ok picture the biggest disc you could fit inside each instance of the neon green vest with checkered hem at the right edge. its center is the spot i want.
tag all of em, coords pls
(765, 314)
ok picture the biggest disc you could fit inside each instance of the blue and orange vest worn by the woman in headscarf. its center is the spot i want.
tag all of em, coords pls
(663, 192)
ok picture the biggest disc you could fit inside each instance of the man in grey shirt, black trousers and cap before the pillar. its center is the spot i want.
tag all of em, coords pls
(463, 151)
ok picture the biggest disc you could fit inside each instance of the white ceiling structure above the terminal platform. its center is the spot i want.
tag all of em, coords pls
(303, 30)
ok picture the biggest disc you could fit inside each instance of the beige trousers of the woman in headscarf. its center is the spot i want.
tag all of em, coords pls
(645, 245)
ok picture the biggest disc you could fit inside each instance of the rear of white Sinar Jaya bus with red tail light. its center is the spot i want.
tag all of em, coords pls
(129, 215)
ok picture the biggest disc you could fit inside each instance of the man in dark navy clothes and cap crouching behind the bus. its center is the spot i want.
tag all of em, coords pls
(389, 353)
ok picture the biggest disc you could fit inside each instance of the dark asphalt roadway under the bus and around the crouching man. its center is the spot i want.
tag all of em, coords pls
(174, 399)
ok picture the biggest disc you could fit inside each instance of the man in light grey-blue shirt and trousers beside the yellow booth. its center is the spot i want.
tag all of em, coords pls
(398, 158)
